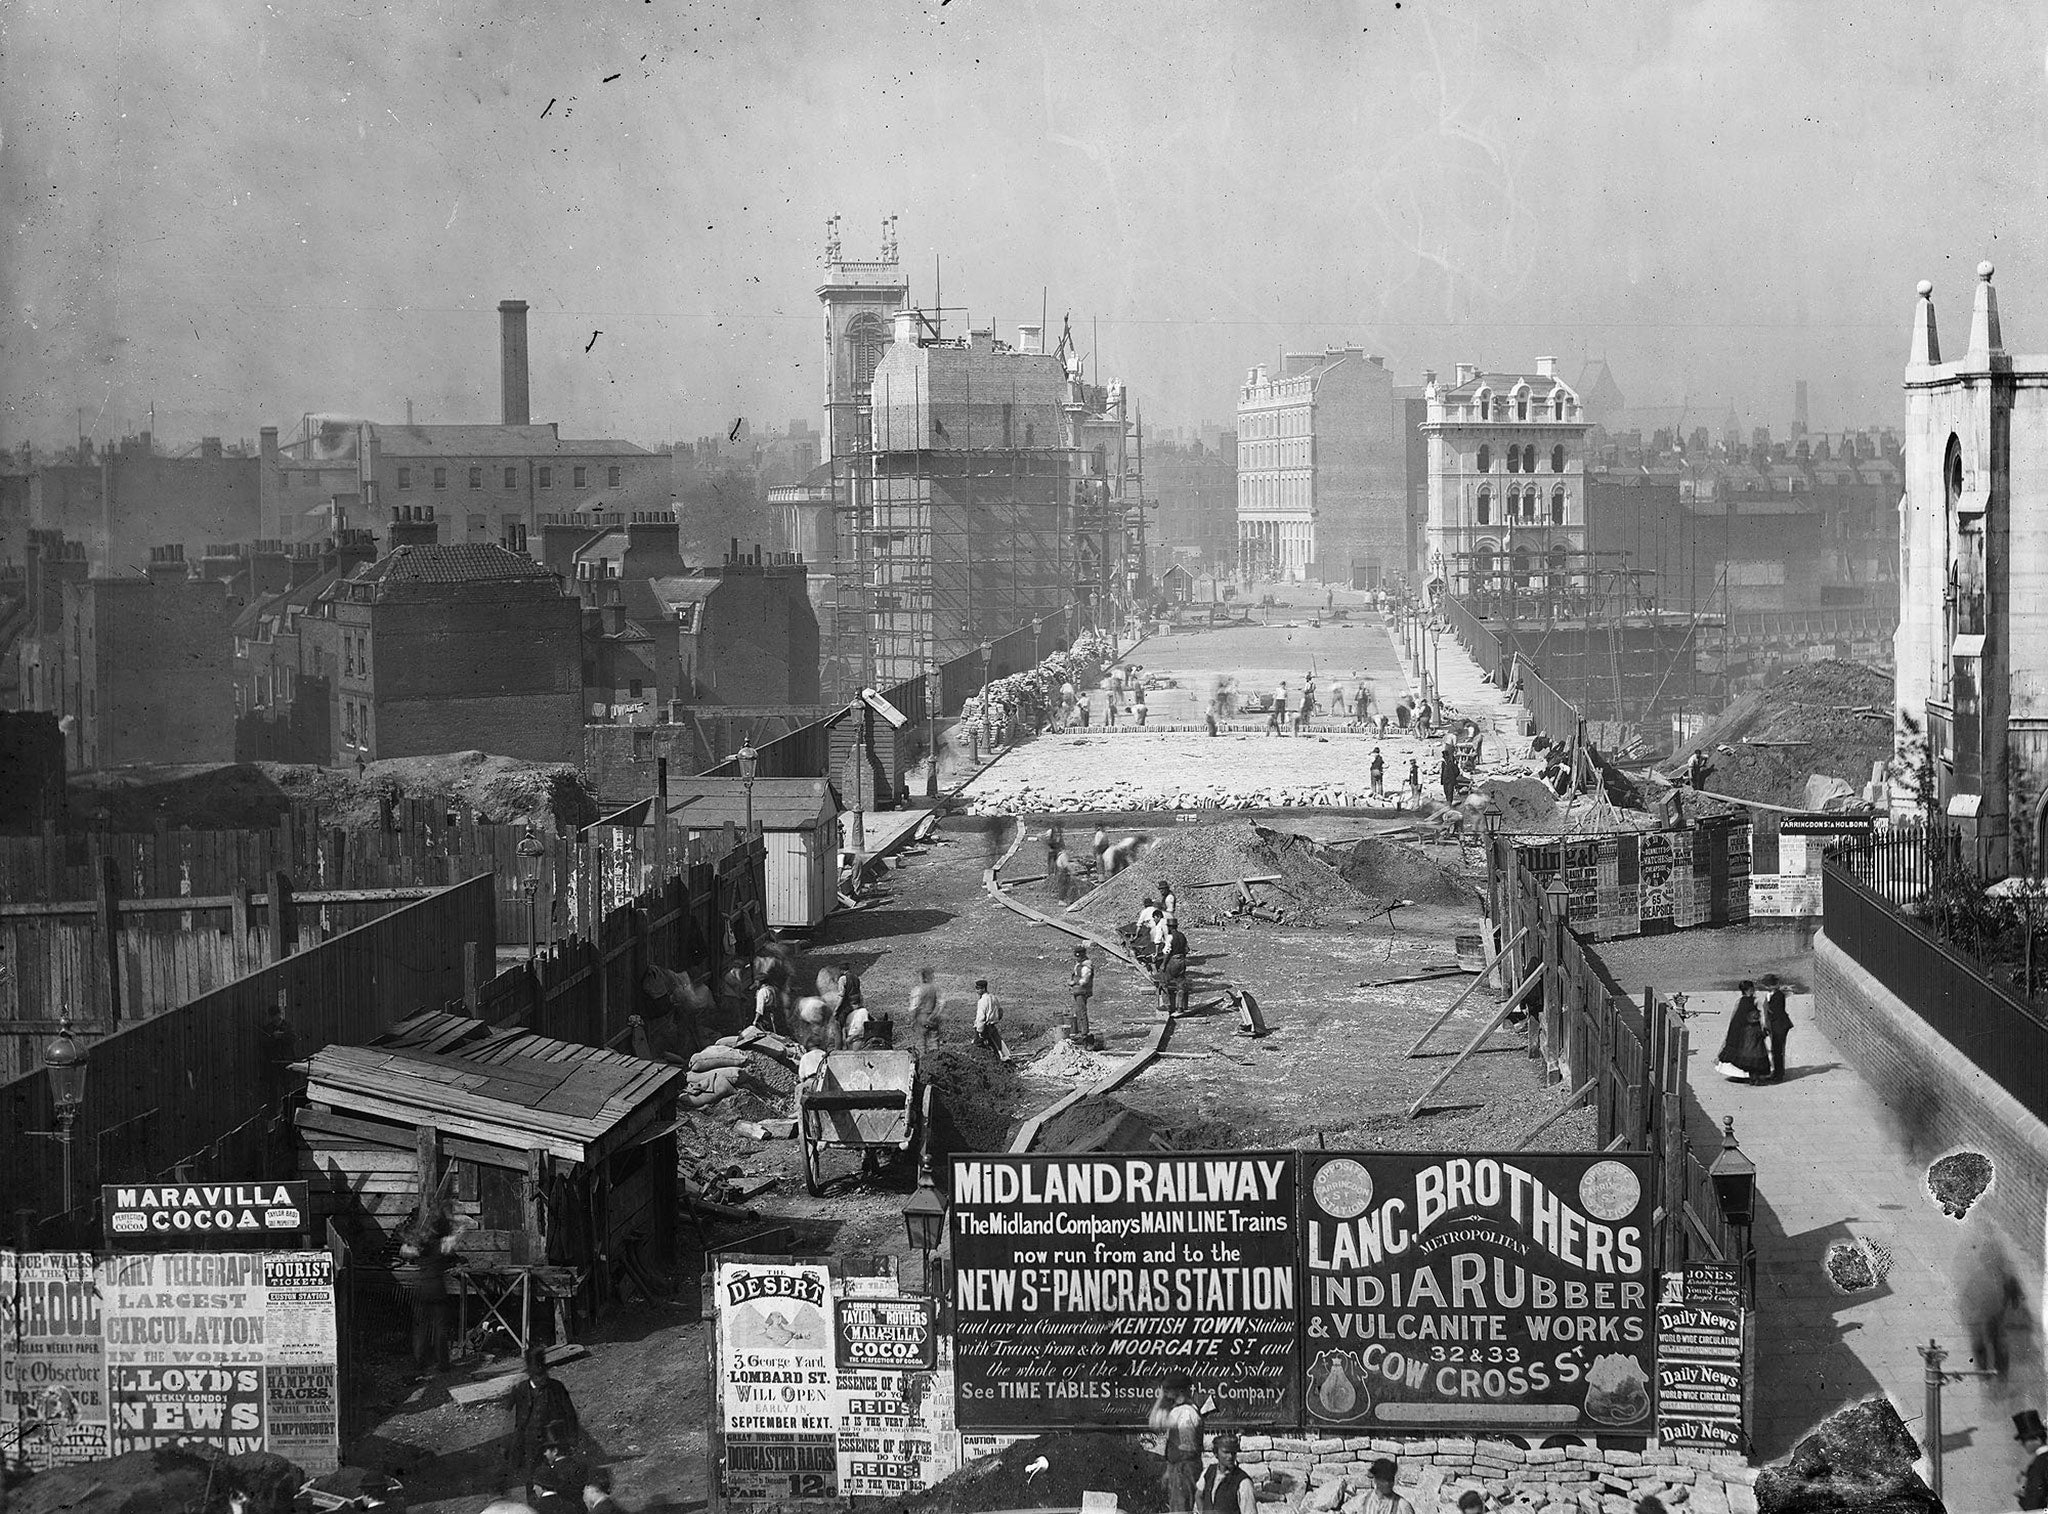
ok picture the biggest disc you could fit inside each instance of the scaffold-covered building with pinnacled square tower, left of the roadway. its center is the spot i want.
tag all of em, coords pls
(972, 487)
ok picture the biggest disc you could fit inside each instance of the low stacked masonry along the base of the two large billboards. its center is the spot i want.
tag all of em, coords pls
(1564, 1480)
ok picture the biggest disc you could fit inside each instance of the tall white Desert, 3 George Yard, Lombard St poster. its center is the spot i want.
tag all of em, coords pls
(777, 1386)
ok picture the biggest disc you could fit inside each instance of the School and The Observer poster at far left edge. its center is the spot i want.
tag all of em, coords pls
(52, 1361)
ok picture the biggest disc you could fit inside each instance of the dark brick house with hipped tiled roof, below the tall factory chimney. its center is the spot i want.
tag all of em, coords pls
(447, 648)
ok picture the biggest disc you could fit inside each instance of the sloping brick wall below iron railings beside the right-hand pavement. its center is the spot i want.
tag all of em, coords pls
(1943, 1103)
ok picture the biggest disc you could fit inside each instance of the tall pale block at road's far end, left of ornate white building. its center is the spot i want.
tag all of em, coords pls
(1322, 470)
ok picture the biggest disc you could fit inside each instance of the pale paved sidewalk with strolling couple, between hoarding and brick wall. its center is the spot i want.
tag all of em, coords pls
(1832, 1169)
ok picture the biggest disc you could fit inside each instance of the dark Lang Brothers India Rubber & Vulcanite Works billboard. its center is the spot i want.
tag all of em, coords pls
(1478, 1294)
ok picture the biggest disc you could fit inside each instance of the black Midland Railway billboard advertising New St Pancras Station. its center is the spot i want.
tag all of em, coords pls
(1084, 1281)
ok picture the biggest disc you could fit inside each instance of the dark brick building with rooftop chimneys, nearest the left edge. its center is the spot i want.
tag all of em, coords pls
(138, 669)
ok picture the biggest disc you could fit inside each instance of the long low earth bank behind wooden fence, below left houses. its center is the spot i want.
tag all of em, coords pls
(257, 794)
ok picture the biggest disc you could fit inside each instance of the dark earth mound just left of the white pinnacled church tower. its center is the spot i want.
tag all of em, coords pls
(1838, 716)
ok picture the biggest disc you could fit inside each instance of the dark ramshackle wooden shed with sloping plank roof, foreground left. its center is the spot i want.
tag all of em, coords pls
(560, 1156)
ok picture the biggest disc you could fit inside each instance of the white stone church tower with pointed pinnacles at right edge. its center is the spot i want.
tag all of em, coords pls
(1971, 650)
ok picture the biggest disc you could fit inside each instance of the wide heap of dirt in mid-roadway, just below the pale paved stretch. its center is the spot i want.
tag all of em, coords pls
(1310, 892)
